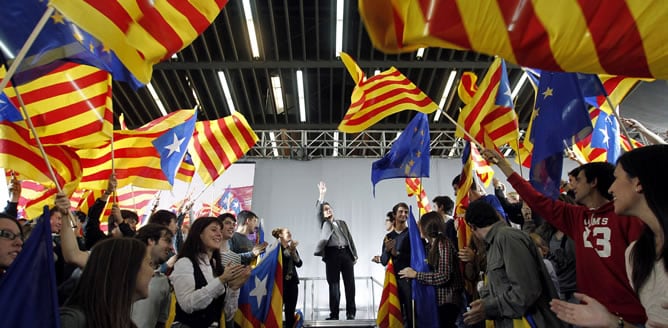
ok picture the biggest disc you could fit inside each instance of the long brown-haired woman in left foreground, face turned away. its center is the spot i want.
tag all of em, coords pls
(117, 273)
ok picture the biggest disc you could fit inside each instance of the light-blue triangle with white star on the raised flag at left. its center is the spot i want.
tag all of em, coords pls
(172, 146)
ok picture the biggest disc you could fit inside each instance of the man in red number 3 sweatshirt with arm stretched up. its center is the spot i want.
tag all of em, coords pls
(600, 235)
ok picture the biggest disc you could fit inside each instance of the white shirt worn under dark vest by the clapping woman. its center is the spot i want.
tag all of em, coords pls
(183, 280)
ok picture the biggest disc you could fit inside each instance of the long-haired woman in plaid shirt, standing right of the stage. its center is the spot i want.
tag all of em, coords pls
(444, 265)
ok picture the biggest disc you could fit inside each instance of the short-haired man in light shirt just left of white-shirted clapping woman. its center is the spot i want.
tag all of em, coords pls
(153, 311)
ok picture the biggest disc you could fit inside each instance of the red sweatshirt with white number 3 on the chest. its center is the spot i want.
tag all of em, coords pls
(601, 237)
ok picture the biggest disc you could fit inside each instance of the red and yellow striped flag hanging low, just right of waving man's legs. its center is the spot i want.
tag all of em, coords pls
(389, 309)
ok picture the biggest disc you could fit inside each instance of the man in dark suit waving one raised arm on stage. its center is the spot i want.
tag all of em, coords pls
(337, 249)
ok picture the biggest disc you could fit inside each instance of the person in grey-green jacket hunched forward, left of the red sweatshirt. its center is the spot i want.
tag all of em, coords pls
(517, 284)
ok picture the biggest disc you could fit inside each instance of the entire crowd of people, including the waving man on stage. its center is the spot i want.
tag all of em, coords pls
(595, 257)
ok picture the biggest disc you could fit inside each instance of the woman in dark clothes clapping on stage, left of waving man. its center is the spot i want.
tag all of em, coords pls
(291, 261)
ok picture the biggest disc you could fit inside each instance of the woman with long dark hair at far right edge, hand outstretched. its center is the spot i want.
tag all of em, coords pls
(639, 190)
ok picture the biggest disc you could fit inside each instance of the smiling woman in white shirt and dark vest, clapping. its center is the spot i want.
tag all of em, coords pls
(199, 279)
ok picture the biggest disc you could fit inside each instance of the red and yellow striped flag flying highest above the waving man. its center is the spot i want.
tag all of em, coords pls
(380, 96)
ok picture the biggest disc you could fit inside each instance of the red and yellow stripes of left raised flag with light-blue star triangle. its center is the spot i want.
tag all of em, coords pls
(136, 161)
